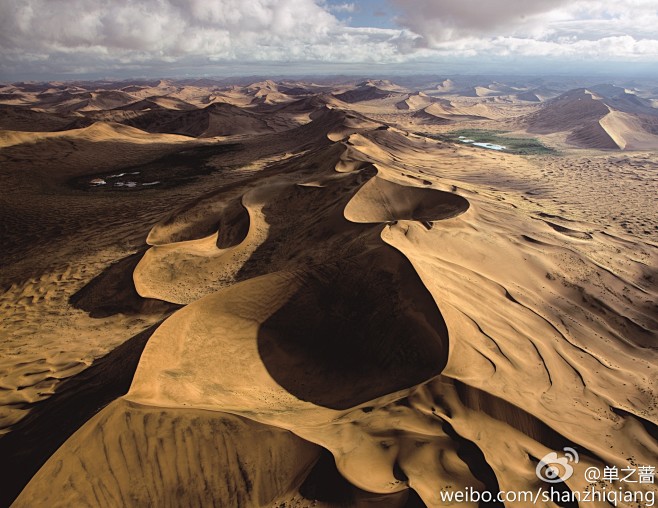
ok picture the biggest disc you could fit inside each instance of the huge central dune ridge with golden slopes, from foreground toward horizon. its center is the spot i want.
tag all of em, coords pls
(378, 297)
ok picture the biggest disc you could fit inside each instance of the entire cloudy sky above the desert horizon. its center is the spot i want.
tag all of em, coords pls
(48, 39)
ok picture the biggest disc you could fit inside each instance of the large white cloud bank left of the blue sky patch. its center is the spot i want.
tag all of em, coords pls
(97, 33)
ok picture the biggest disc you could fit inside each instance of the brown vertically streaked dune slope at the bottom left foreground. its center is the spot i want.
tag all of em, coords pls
(201, 451)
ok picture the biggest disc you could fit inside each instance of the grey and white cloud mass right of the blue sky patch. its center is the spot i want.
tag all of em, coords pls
(571, 29)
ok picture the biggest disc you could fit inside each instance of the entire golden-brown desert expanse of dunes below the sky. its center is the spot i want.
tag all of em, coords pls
(328, 306)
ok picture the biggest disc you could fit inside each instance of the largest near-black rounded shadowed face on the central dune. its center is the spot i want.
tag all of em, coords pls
(354, 331)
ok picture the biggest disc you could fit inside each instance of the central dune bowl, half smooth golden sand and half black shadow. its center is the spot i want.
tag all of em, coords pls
(334, 336)
